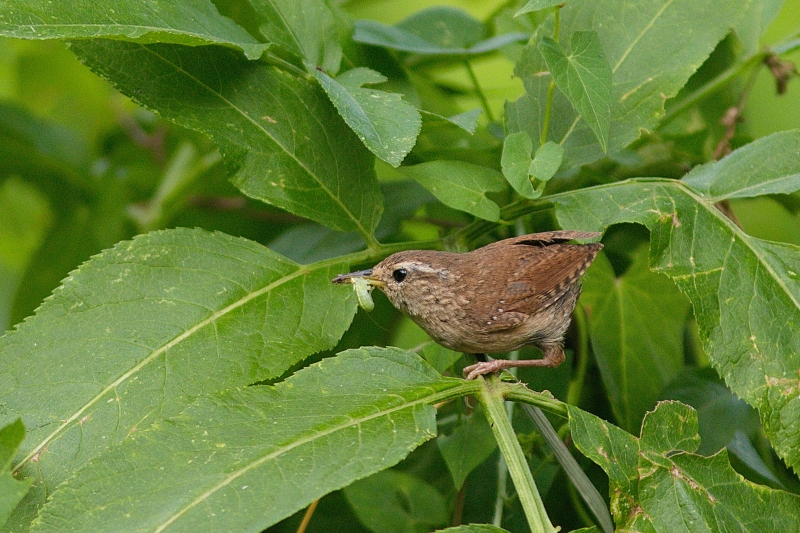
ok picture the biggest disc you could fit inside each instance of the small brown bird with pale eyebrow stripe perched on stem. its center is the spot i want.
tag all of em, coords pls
(492, 300)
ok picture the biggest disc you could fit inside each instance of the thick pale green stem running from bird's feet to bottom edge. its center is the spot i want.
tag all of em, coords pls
(492, 398)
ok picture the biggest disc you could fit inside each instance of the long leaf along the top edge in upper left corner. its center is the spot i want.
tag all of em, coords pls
(187, 22)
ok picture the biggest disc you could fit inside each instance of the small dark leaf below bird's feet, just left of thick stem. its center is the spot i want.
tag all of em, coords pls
(467, 447)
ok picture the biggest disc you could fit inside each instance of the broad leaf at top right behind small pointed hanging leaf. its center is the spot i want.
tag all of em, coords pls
(653, 48)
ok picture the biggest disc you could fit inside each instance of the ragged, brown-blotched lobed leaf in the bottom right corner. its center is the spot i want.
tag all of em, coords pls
(657, 484)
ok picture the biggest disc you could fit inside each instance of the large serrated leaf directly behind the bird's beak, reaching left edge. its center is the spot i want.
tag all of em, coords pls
(142, 329)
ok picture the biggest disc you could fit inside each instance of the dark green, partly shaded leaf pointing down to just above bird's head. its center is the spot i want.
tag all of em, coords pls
(282, 139)
